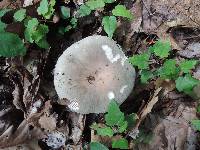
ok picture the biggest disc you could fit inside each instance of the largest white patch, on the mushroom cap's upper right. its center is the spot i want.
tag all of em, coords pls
(109, 54)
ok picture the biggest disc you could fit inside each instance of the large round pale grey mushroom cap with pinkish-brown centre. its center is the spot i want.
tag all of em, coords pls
(91, 72)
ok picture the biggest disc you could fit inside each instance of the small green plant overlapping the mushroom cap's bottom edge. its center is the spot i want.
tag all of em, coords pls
(116, 123)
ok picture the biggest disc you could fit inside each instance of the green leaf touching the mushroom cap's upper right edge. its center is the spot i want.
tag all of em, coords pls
(141, 60)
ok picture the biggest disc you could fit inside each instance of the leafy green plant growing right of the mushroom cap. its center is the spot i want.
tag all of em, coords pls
(180, 72)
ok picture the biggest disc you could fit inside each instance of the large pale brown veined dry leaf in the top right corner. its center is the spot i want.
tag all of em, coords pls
(159, 16)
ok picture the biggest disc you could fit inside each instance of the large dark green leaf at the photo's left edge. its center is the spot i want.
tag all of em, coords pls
(11, 45)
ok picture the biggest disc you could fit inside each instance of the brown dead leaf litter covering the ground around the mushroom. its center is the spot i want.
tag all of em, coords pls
(28, 108)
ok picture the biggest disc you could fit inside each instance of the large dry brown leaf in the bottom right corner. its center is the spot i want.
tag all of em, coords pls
(172, 131)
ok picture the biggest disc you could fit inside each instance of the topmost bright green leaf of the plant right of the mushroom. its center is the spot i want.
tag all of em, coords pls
(161, 48)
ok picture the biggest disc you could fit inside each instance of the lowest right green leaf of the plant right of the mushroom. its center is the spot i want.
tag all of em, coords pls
(186, 83)
